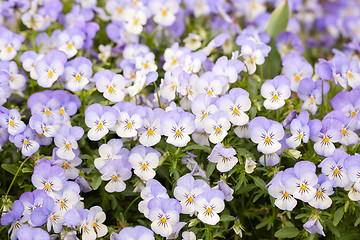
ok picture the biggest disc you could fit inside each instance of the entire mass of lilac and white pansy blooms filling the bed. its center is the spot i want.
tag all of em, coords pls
(209, 107)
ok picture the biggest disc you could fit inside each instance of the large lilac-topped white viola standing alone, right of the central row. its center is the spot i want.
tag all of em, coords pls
(267, 134)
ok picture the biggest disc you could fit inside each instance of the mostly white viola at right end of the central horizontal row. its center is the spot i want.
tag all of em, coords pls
(217, 125)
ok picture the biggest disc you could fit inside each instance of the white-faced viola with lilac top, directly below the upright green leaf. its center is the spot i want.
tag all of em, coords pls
(276, 91)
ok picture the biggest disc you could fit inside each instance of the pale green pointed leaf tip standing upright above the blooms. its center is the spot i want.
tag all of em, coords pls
(278, 20)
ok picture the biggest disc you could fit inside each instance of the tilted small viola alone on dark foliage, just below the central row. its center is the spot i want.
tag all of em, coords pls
(225, 158)
